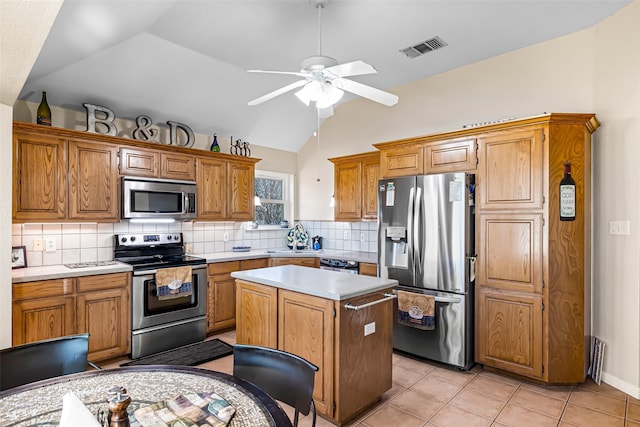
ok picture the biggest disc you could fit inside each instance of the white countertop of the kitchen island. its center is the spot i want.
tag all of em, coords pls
(328, 284)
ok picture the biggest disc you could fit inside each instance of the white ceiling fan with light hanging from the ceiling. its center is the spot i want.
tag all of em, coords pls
(324, 79)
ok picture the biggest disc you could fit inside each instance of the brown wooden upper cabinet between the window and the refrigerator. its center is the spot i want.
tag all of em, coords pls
(356, 186)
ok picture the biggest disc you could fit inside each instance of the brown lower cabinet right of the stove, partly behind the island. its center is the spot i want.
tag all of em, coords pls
(221, 292)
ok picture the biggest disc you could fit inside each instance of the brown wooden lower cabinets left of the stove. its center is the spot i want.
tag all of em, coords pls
(99, 305)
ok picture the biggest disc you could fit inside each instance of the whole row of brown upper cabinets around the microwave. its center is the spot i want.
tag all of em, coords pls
(67, 175)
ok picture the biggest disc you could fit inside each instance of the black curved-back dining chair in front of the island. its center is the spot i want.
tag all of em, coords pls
(284, 376)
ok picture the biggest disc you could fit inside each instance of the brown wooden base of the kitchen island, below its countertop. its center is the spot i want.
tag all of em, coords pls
(355, 370)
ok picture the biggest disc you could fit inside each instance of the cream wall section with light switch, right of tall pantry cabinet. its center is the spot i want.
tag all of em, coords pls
(616, 259)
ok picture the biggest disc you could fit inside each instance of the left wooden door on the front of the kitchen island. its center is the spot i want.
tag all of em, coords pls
(256, 305)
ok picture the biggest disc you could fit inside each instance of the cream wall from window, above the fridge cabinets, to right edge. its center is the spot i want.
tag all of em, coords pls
(595, 70)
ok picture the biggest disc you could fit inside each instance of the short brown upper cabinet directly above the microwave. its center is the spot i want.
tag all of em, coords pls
(157, 164)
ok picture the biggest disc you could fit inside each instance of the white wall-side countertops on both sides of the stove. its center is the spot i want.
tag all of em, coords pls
(31, 274)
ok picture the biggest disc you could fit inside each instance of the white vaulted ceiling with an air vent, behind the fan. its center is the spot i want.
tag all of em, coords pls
(187, 61)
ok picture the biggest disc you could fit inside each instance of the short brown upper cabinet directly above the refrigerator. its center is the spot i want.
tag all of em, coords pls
(427, 155)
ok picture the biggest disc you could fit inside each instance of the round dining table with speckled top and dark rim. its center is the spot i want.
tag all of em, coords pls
(40, 403)
